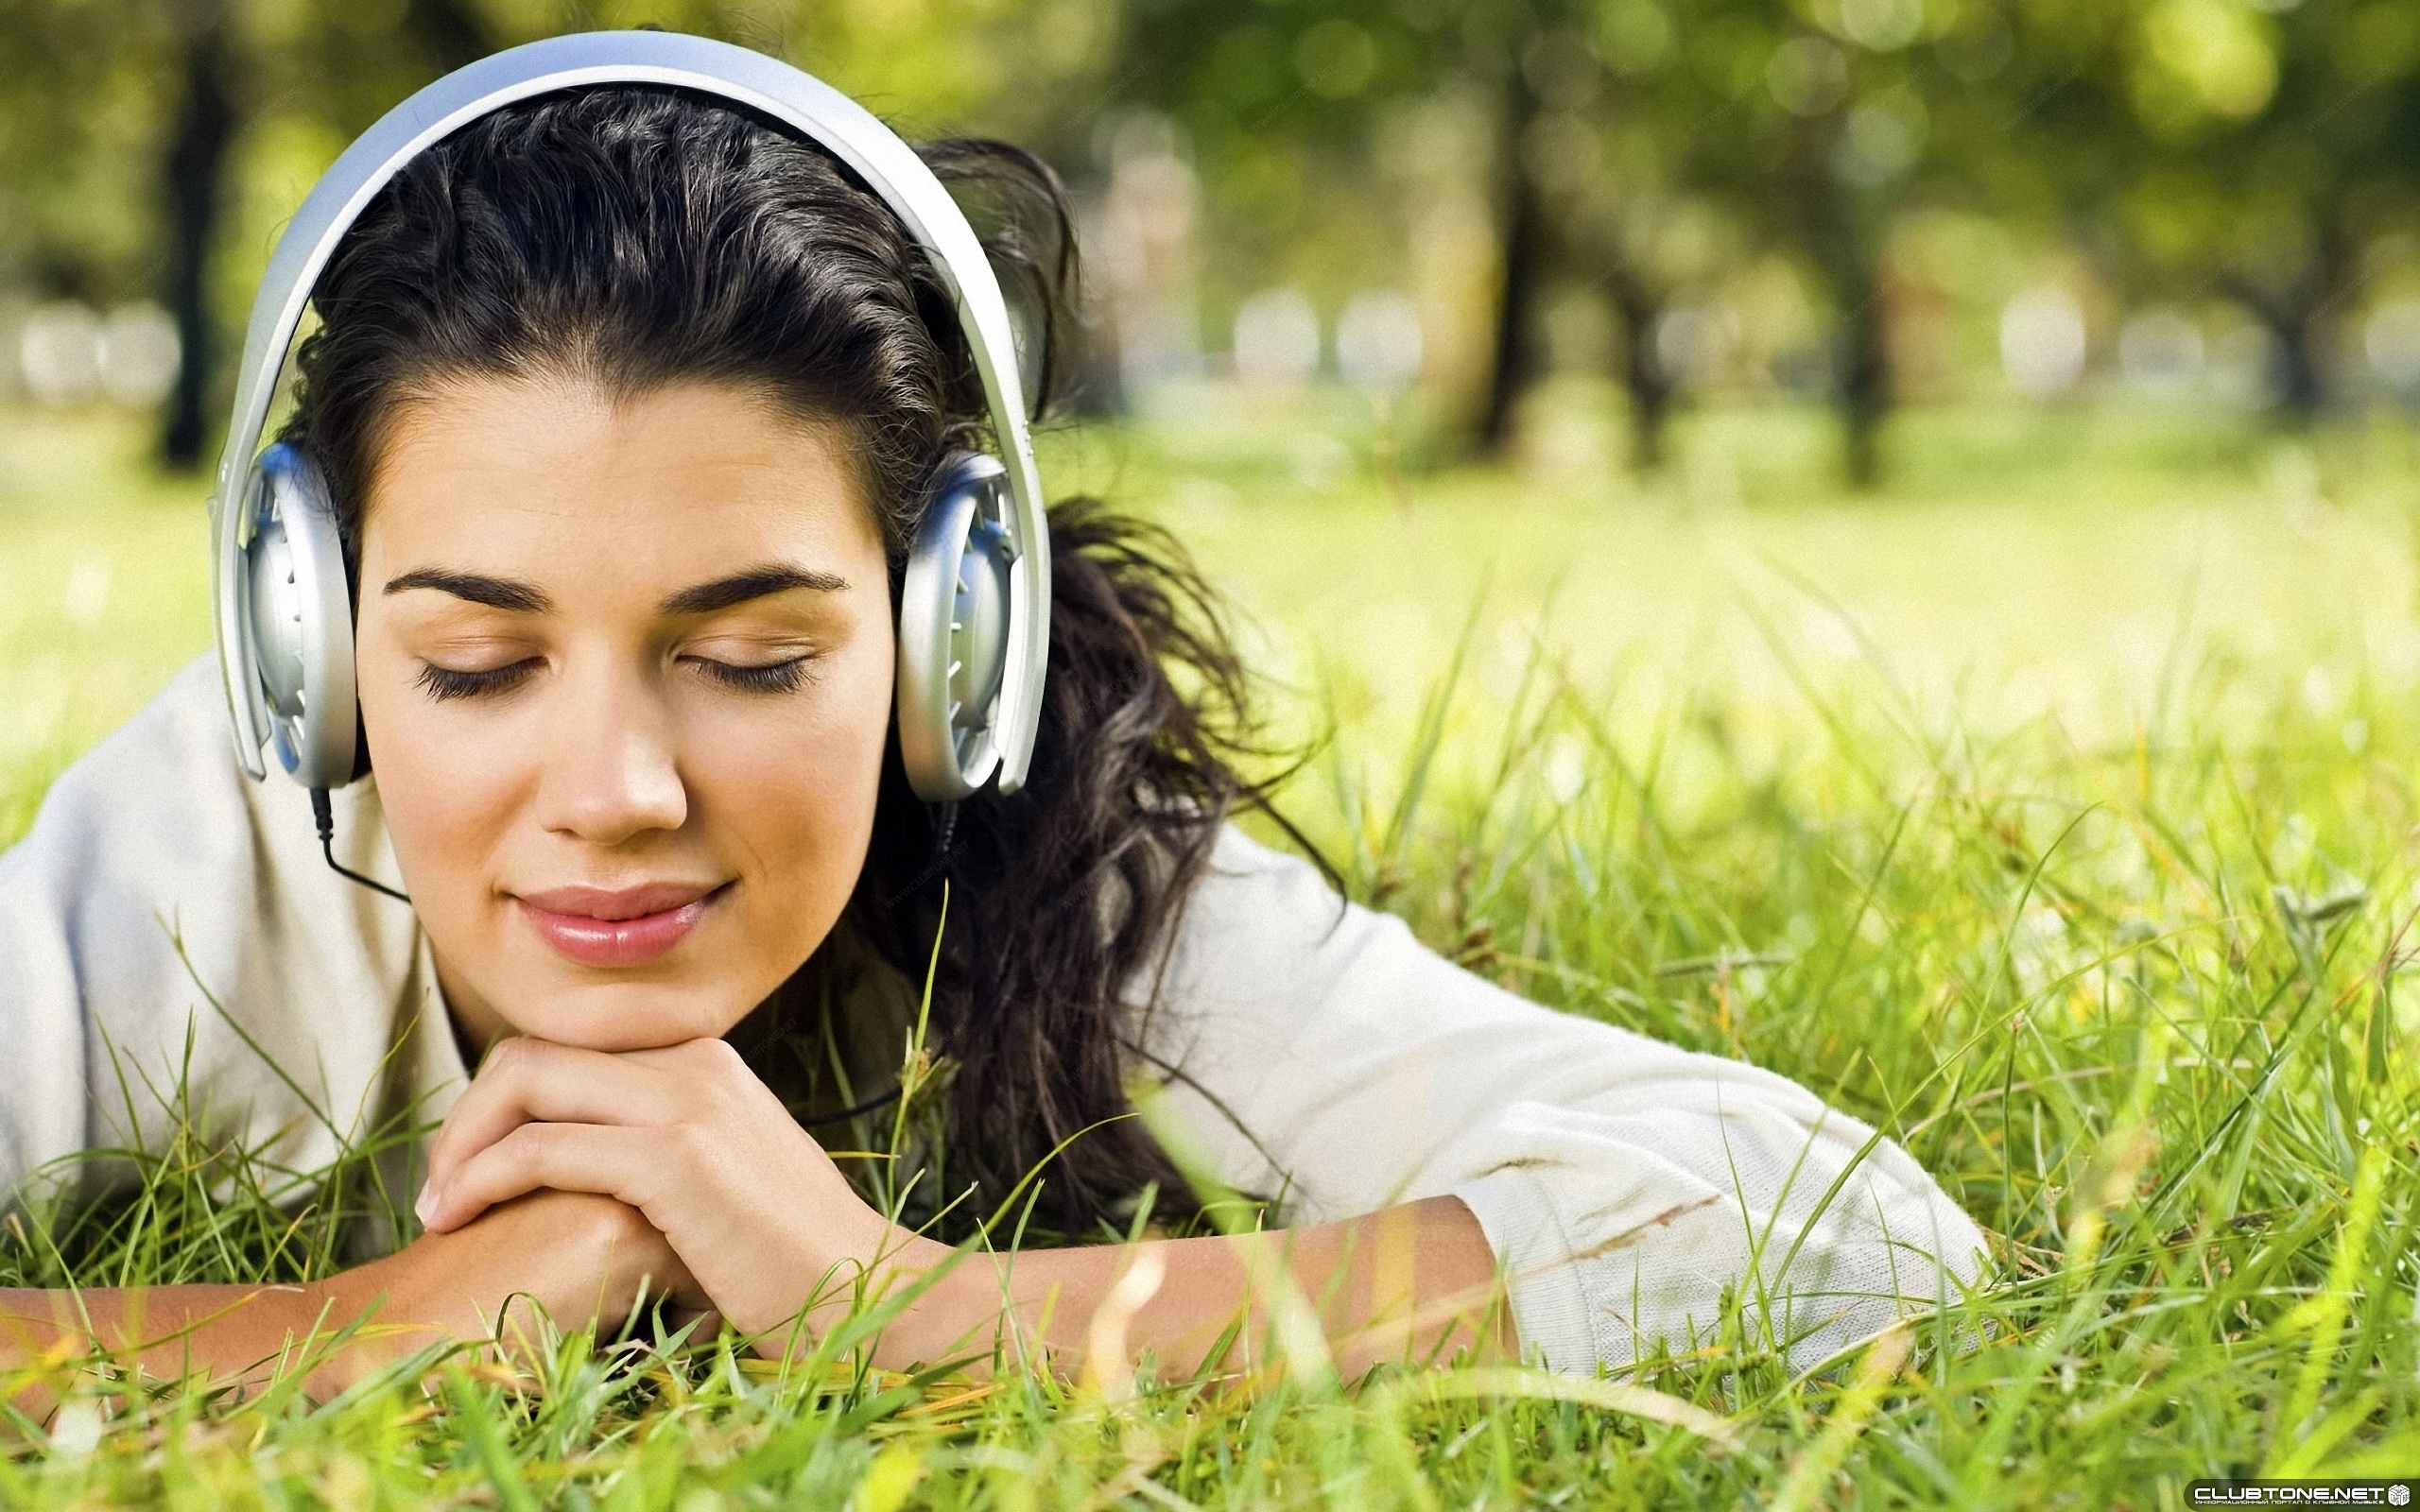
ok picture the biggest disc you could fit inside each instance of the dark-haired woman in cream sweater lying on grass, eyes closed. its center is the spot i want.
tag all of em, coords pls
(628, 405)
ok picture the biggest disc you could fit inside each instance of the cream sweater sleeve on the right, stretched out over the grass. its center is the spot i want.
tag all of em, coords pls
(1318, 1054)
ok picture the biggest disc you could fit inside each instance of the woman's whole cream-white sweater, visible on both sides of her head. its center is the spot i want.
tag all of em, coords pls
(1310, 1051)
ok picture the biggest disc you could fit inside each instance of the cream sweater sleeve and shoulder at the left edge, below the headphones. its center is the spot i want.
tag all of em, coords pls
(171, 925)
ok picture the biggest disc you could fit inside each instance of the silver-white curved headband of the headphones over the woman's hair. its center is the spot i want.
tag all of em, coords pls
(722, 71)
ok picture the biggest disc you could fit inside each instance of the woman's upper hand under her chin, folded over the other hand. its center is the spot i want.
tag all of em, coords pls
(691, 1141)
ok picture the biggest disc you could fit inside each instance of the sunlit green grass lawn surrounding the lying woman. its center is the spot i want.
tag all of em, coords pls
(2053, 812)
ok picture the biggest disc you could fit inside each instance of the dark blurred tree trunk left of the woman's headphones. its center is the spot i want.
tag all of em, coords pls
(195, 185)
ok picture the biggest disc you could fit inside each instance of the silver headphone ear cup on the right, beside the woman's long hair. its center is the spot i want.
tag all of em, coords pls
(955, 633)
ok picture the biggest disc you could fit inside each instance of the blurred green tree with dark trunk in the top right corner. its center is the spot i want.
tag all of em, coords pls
(2249, 151)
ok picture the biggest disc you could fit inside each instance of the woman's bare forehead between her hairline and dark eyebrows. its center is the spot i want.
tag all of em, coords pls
(560, 478)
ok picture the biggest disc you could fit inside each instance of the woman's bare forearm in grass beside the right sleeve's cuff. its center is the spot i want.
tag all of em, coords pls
(1414, 1283)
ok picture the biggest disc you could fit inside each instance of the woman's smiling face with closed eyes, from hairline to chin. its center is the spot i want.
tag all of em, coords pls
(626, 671)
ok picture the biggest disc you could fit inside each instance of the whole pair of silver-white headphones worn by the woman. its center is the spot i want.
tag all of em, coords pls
(976, 596)
